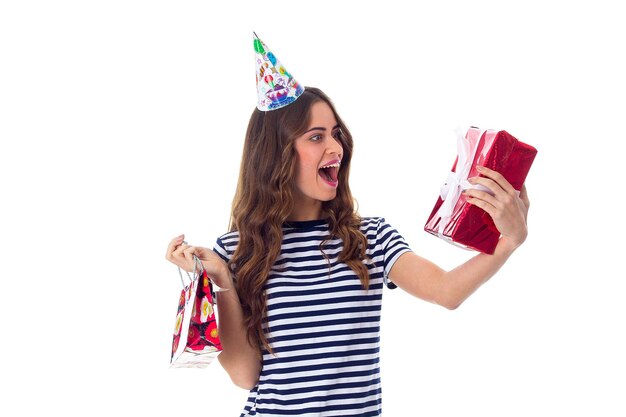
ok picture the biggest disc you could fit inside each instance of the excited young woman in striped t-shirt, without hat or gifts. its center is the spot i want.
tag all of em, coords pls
(299, 324)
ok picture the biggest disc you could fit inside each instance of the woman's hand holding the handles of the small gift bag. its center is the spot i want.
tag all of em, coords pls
(181, 255)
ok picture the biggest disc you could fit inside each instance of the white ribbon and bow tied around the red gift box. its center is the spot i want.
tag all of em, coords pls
(457, 181)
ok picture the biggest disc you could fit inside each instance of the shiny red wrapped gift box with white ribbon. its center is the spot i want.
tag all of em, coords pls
(464, 224)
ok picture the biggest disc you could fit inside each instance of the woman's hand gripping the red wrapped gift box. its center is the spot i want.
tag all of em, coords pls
(508, 211)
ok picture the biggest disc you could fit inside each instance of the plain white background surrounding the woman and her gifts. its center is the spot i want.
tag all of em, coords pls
(122, 124)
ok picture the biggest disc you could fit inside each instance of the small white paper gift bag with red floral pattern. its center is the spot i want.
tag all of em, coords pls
(196, 341)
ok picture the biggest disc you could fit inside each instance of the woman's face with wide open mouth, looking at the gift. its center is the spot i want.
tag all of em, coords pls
(319, 154)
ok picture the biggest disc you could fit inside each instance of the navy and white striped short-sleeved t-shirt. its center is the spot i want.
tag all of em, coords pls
(324, 327)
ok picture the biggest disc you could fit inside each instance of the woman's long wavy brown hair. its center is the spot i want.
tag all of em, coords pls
(264, 200)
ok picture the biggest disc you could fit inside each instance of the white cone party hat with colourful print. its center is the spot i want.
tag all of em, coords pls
(275, 86)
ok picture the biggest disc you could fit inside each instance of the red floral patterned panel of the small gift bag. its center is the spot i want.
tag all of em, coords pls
(203, 326)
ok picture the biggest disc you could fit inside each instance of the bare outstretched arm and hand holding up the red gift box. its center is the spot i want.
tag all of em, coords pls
(424, 279)
